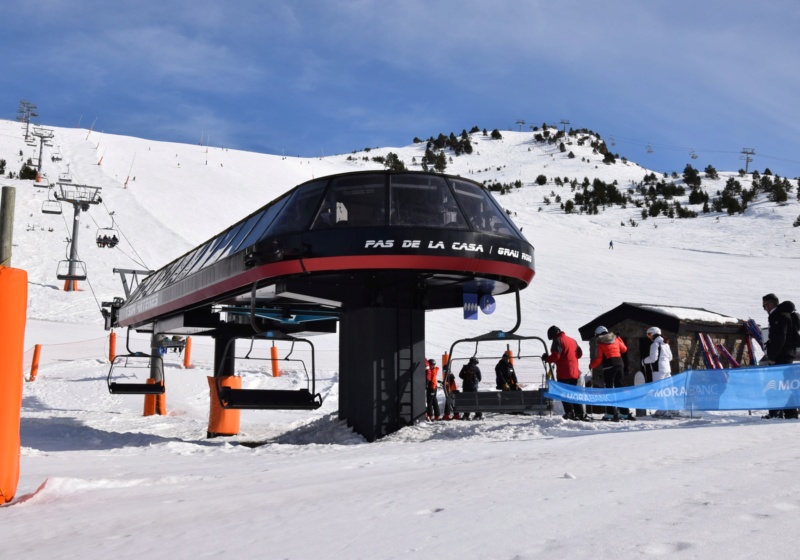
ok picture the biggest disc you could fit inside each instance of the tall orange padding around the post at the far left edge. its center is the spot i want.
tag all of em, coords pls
(14, 303)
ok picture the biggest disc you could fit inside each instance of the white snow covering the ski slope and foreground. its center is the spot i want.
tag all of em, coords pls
(100, 480)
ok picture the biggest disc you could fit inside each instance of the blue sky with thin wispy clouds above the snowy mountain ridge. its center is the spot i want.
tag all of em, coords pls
(310, 78)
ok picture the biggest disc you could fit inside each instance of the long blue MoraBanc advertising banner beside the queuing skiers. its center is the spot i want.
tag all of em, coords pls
(754, 387)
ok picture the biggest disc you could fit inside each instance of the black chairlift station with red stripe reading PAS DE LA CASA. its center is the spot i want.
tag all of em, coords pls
(368, 252)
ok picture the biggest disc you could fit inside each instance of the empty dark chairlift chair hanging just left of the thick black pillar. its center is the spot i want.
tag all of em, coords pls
(271, 399)
